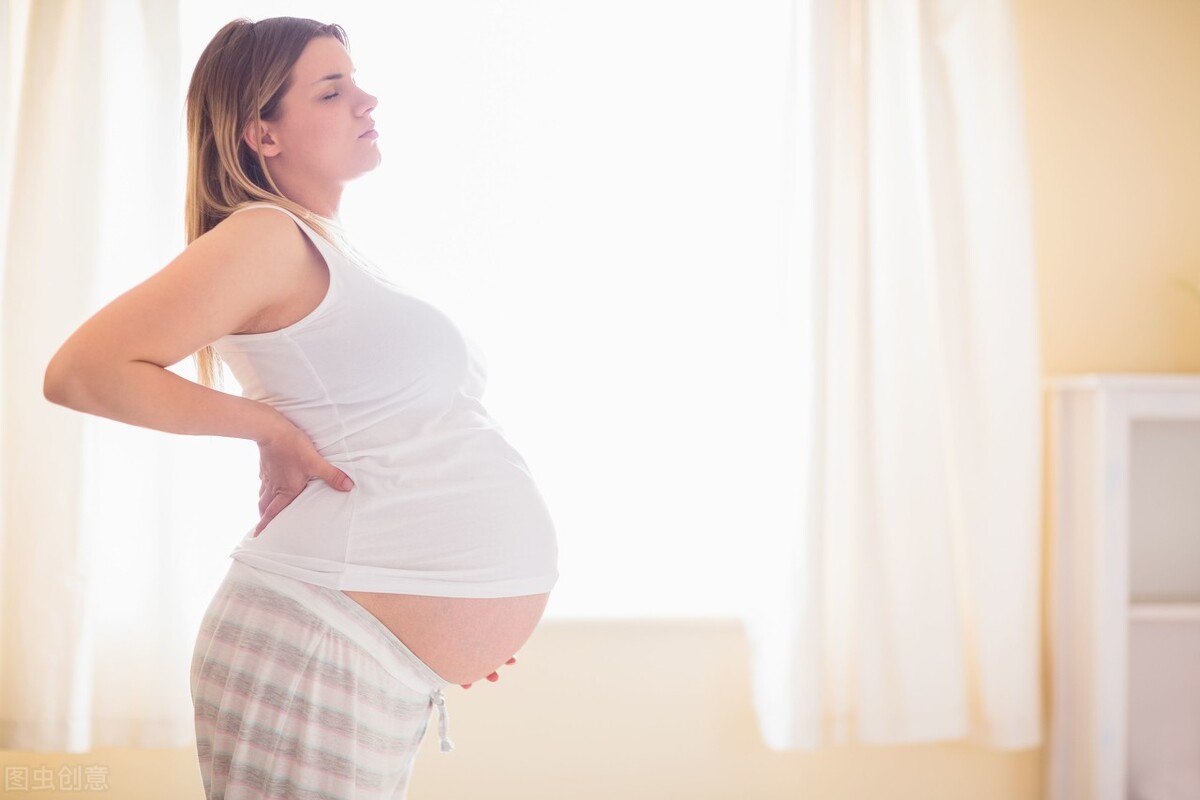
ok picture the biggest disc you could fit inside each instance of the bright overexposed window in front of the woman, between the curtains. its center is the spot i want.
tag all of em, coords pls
(592, 191)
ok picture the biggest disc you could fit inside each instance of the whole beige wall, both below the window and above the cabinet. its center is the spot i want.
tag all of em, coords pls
(663, 709)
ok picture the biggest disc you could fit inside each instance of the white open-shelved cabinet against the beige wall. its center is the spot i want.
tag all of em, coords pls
(1125, 588)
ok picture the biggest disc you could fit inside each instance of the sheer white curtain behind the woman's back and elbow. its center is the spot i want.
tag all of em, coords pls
(106, 548)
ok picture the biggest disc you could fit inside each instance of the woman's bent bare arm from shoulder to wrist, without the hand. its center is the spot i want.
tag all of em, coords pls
(115, 365)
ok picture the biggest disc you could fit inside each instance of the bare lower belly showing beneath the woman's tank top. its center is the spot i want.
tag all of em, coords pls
(464, 640)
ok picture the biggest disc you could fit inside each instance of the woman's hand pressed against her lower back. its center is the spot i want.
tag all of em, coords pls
(287, 462)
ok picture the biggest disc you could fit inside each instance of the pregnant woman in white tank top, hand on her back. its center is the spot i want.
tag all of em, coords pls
(403, 545)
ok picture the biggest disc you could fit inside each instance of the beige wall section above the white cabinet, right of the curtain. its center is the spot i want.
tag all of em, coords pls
(1114, 127)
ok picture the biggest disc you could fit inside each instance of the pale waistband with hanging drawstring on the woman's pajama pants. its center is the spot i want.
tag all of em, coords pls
(359, 625)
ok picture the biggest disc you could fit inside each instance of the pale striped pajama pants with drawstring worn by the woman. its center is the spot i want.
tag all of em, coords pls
(303, 694)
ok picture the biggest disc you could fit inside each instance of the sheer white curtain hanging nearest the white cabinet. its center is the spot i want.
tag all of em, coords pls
(903, 588)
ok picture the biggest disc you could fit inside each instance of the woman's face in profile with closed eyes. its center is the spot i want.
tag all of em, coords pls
(323, 118)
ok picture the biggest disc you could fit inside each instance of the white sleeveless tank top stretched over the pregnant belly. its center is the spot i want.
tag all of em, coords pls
(389, 390)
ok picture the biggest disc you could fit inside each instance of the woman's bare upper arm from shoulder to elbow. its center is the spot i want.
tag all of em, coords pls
(224, 280)
